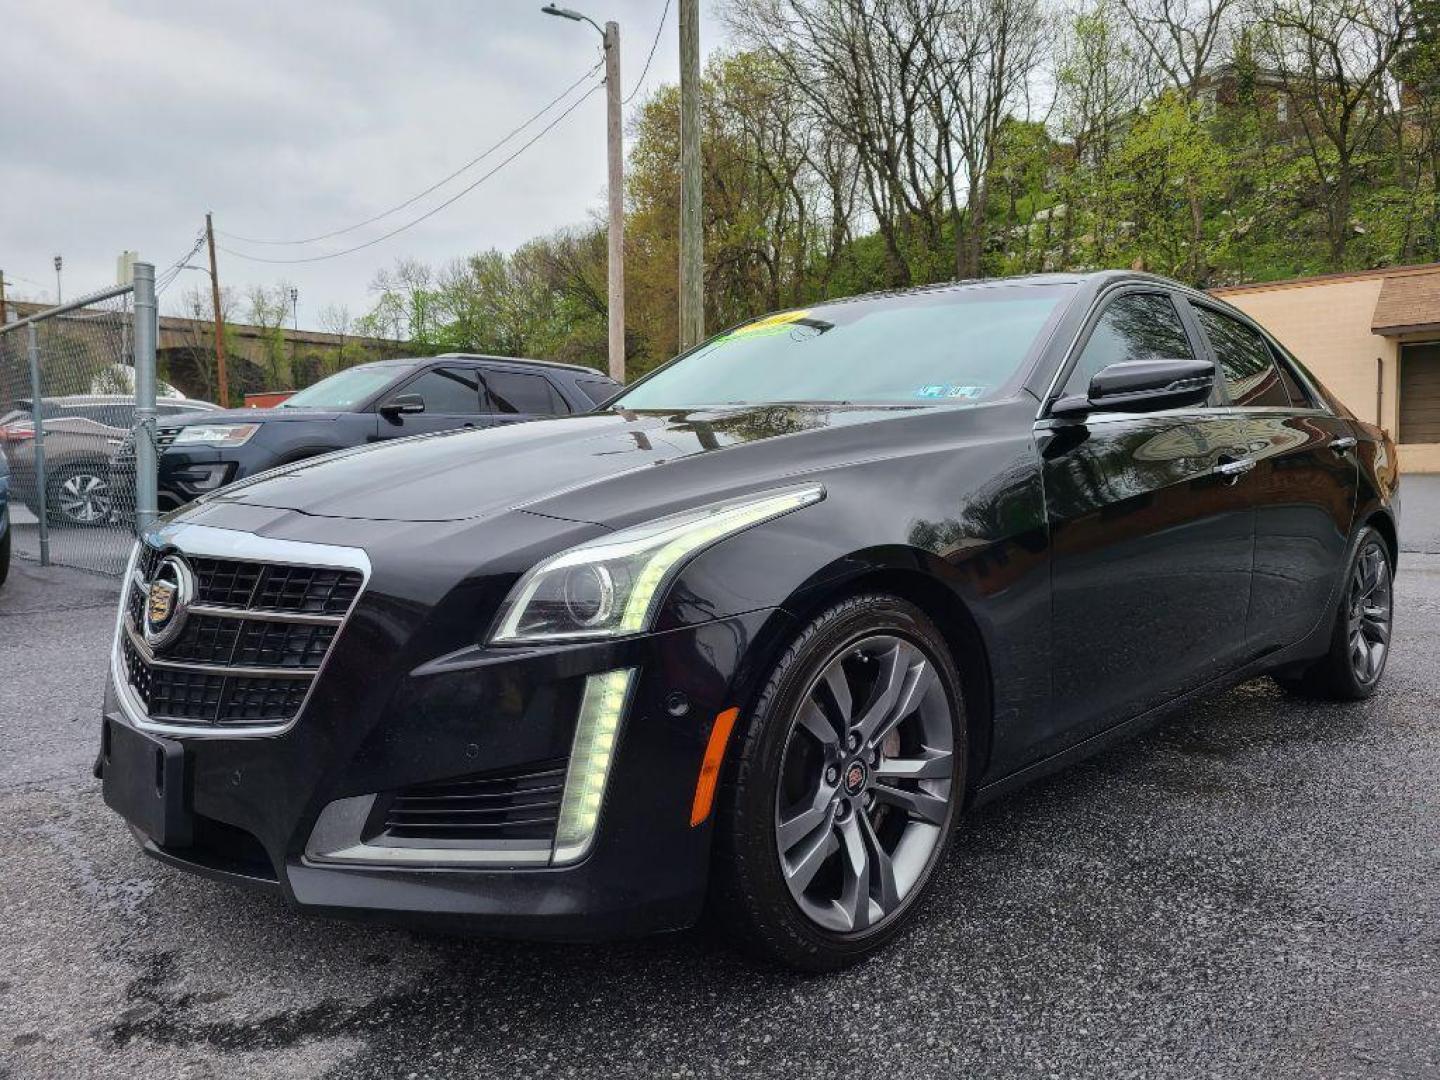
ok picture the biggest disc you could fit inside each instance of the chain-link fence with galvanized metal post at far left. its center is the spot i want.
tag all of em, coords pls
(77, 400)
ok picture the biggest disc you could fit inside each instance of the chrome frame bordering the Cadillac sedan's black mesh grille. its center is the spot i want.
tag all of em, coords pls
(210, 542)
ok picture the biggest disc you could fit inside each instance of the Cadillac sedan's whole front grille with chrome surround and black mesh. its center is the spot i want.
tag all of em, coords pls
(251, 669)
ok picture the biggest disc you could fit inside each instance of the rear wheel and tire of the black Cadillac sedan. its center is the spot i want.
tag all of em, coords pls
(1341, 676)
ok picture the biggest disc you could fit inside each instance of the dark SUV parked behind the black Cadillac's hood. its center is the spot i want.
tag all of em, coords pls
(366, 404)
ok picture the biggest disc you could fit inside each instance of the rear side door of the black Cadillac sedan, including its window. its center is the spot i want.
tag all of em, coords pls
(1302, 485)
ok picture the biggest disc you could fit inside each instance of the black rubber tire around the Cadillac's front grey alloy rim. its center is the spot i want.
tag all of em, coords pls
(750, 898)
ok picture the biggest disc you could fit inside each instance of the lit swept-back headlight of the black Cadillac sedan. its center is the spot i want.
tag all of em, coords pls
(610, 587)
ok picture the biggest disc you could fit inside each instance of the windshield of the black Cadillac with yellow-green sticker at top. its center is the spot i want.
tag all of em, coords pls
(942, 348)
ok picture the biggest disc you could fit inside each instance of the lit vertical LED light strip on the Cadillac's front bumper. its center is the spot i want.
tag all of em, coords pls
(603, 705)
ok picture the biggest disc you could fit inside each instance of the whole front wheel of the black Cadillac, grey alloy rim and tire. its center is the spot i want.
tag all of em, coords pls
(845, 788)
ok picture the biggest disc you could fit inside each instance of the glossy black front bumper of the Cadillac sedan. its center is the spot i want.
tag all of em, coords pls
(256, 803)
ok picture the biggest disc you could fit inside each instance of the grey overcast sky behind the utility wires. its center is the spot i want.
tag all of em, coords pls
(125, 122)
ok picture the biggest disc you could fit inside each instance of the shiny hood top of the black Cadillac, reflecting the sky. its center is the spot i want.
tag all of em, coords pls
(581, 469)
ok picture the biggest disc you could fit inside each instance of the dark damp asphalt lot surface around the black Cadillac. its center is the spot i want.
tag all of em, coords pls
(1254, 889)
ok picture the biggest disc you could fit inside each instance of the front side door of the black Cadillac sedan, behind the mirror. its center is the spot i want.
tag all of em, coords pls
(1151, 541)
